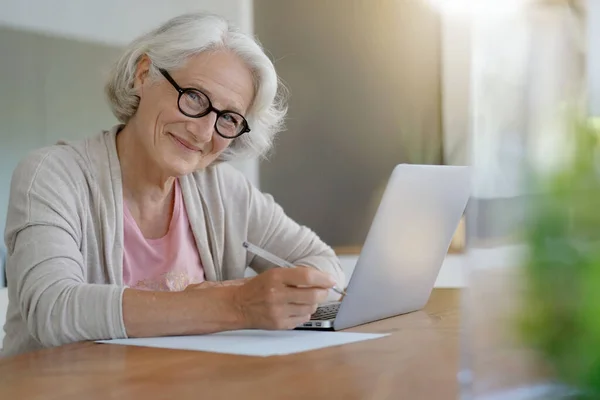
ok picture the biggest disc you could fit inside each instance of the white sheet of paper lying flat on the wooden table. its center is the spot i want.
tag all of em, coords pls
(251, 342)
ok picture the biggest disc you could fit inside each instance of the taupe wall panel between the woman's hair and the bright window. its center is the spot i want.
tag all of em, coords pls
(365, 83)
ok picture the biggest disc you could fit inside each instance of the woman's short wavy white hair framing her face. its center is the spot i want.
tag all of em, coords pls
(171, 45)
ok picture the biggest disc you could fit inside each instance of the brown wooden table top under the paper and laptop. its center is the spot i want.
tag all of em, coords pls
(419, 360)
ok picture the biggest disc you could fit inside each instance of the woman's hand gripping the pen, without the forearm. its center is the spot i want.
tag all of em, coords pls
(282, 298)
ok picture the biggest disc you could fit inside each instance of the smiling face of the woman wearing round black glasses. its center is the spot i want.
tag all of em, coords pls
(178, 144)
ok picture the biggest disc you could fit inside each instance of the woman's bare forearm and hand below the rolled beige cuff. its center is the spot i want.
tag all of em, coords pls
(281, 298)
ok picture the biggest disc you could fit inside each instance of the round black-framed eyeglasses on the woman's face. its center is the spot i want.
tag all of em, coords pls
(195, 104)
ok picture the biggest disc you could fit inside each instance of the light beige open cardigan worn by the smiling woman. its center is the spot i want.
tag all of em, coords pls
(64, 235)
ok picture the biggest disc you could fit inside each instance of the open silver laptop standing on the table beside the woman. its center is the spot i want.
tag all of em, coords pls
(404, 249)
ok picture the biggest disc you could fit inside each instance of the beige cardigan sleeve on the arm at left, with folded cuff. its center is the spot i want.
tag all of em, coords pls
(45, 265)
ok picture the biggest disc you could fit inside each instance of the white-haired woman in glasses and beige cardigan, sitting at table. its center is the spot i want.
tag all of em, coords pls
(138, 230)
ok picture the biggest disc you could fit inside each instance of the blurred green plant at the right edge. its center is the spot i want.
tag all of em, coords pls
(560, 317)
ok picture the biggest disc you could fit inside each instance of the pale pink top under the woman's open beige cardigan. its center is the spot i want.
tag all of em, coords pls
(166, 264)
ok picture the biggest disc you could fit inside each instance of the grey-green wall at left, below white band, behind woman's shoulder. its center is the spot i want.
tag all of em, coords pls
(50, 89)
